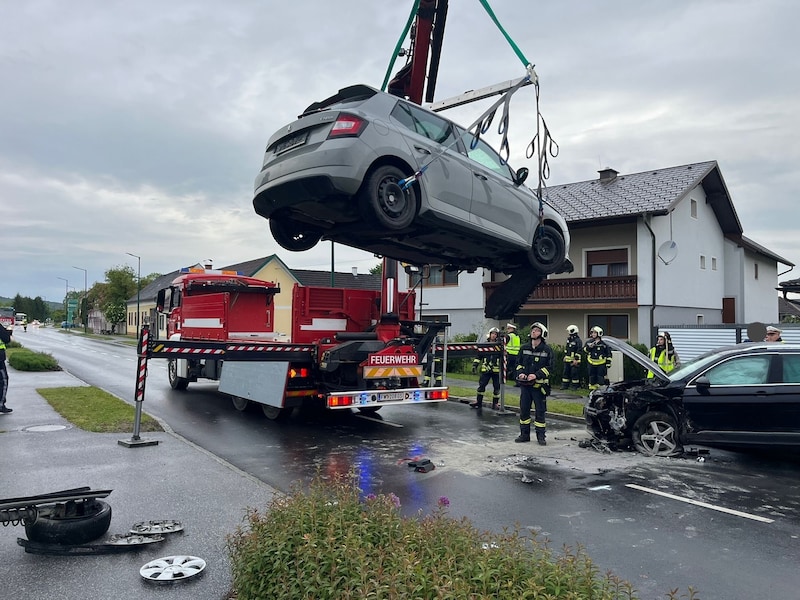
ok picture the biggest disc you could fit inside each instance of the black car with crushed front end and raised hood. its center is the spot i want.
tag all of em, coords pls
(745, 397)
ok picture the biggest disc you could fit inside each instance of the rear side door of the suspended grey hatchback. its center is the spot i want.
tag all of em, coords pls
(447, 181)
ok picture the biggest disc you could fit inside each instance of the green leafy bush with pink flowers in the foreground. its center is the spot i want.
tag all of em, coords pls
(328, 542)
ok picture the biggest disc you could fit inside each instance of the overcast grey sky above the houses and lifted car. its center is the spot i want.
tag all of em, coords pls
(140, 126)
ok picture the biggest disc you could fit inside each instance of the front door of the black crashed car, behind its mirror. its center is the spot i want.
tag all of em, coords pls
(731, 401)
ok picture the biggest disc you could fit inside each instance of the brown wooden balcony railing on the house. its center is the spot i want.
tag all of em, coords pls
(595, 291)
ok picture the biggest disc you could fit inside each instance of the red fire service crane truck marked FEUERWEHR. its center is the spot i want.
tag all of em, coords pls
(348, 348)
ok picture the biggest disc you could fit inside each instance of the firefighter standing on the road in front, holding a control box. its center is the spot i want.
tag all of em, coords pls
(533, 374)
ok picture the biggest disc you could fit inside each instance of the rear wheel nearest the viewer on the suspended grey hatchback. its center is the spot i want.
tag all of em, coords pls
(385, 201)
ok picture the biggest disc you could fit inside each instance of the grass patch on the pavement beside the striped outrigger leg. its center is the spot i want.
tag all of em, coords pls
(93, 409)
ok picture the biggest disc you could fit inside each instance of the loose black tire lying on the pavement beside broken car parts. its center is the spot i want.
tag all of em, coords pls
(71, 523)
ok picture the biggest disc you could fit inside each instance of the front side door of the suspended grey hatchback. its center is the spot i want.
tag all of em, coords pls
(499, 206)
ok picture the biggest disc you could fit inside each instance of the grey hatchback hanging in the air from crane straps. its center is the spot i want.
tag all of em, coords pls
(334, 174)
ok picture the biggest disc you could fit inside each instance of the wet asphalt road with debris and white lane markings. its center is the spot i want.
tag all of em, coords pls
(566, 494)
